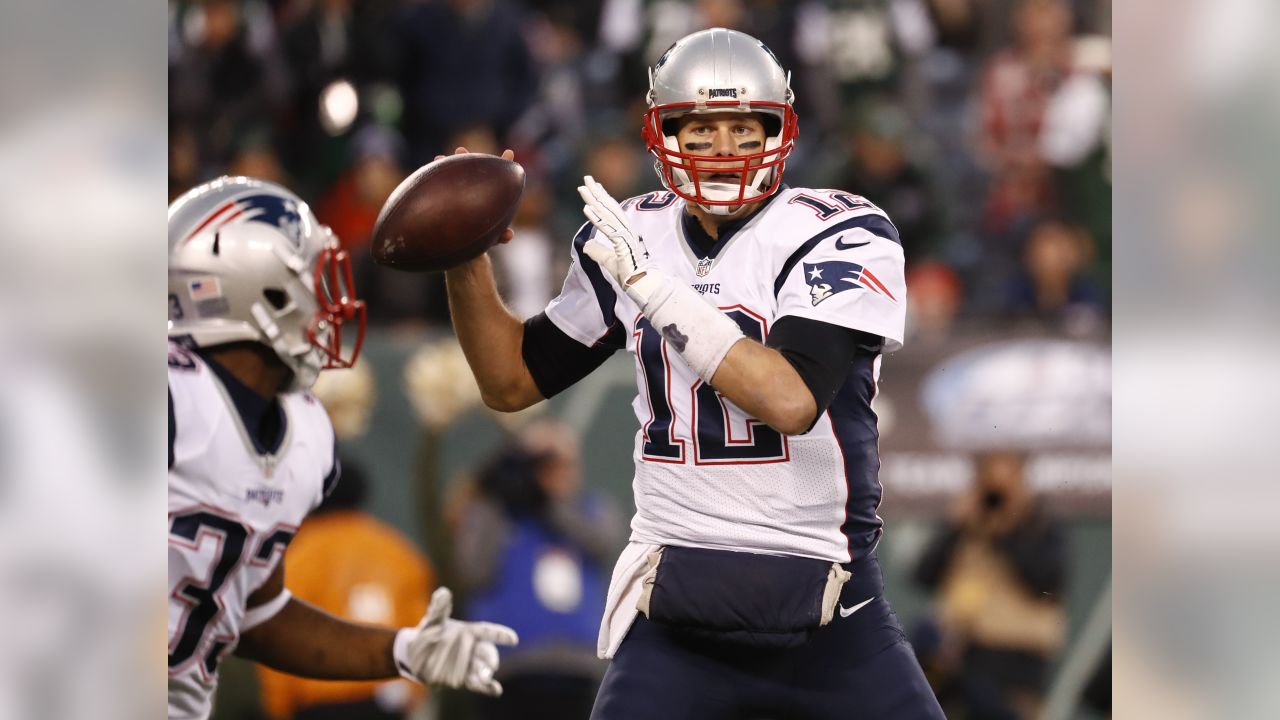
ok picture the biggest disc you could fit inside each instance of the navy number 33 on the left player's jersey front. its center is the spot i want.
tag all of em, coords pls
(202, 598)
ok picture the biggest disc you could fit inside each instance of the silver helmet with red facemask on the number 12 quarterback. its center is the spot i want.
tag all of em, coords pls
(717, 71)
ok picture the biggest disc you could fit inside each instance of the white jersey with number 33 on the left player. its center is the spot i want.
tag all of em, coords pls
(234, 509)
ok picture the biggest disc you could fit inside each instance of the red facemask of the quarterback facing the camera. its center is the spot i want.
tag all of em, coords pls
(743, 166)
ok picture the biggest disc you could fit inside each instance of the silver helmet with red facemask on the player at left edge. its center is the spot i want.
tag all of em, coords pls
(250, 262)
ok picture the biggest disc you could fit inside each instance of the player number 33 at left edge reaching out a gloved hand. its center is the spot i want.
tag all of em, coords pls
(260, 299)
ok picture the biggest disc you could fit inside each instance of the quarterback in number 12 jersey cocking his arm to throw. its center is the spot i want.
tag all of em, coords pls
(757, 316)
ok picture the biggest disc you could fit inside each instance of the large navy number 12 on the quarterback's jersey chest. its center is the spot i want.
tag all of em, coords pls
(714, 423)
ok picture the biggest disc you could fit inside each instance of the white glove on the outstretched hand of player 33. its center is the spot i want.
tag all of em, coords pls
(451, 653)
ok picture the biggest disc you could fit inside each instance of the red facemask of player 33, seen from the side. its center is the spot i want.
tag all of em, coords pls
(336, 293)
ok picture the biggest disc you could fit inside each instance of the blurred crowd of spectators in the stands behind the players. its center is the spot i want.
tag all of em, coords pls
(982, 127)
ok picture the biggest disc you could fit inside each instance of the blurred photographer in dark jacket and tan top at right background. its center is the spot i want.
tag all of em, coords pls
(1000, 571)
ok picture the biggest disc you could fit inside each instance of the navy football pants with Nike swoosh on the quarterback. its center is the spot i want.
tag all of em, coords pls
(856, 668)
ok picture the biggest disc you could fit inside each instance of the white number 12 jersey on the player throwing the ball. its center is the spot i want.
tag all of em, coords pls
(706, 473)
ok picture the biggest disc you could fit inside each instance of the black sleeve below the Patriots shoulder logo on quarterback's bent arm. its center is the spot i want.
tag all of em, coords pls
(821, 353)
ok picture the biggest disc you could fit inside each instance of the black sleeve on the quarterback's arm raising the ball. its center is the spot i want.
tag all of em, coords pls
(556, 361)
